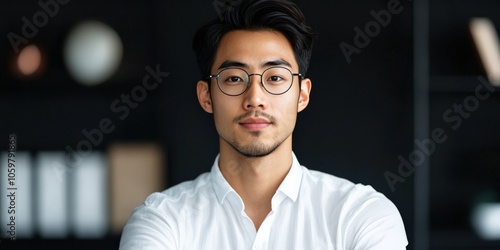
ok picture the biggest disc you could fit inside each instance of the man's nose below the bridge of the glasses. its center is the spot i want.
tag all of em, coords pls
(255, 95)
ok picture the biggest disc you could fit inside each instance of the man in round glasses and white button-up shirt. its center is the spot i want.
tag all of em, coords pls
(257, 195)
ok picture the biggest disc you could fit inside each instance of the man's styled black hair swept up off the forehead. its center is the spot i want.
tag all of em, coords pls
(277, 15)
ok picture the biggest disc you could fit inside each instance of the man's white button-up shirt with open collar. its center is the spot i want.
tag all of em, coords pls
(310, 210)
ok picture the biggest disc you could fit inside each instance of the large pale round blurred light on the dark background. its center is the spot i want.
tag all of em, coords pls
(93, 52)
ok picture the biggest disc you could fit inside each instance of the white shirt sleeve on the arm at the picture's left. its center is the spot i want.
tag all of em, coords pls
(147, 229)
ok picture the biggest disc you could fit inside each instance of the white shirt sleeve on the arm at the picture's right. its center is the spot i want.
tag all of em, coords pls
(375, 224)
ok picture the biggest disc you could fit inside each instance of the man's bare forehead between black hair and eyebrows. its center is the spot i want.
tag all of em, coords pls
(254, 49)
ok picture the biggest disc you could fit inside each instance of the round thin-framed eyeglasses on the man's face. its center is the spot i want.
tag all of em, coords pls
(235, 81)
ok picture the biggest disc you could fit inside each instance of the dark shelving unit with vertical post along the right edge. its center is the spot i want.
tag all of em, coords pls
(448, 74)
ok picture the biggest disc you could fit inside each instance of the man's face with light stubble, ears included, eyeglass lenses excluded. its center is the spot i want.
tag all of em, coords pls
(256, 122)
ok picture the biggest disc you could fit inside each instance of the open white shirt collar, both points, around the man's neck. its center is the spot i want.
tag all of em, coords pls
(290, 186)
